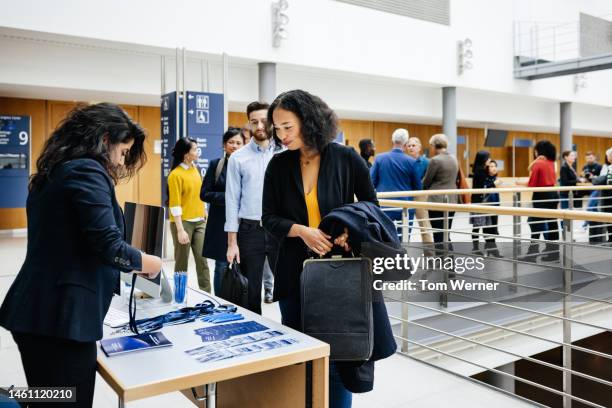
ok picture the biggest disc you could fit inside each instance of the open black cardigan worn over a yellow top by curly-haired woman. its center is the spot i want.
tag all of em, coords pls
(342, 176)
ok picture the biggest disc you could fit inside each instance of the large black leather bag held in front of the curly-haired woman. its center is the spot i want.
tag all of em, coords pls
(336, 296)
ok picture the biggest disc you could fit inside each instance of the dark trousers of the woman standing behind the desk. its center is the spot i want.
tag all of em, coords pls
(55, 362)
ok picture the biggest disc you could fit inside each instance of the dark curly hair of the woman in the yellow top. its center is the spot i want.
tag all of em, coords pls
(319, 122)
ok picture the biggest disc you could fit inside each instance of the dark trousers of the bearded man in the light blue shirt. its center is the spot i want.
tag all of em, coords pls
(255, 245)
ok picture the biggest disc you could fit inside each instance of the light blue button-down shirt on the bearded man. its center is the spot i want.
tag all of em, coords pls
(244, 183)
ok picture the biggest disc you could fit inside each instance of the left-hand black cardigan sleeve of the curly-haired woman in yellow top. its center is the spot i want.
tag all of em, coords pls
(272, 201)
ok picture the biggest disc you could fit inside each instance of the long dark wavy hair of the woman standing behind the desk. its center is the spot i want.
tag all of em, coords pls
(82, 135)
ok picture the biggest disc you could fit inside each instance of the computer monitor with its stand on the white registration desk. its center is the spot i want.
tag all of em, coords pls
(144, 230)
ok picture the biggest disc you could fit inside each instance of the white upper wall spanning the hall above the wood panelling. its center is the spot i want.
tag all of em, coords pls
(365, 63)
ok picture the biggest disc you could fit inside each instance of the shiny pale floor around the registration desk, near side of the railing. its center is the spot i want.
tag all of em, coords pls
(400, 381)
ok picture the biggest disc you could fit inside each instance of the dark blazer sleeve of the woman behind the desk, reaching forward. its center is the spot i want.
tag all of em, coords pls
(89, 189)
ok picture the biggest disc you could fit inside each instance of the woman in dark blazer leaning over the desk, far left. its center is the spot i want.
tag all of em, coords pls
(76, 248)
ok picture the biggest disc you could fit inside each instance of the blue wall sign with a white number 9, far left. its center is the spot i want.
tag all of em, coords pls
(15, 134)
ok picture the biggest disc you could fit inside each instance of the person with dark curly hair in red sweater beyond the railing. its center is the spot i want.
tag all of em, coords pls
(543, 175)
